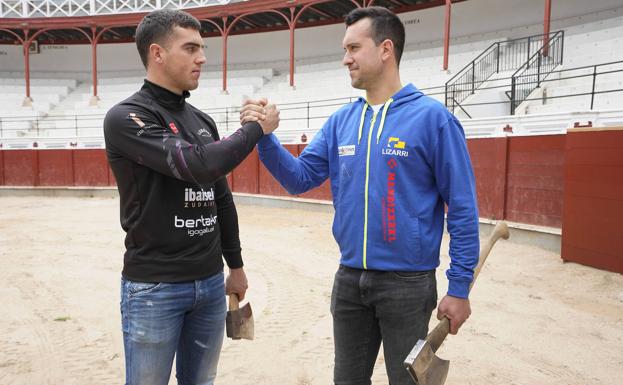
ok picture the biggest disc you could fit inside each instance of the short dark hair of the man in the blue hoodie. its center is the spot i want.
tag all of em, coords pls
(384, 25)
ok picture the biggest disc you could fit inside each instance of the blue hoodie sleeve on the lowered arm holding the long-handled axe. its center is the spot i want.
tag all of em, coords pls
(455, 180)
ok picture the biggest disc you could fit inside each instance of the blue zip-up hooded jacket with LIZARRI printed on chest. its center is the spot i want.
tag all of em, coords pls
(391, 173)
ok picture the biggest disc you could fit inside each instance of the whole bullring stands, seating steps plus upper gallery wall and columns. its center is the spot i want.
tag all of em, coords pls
(499, 74)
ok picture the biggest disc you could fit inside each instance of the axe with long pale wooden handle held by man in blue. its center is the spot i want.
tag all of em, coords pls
(422, 364)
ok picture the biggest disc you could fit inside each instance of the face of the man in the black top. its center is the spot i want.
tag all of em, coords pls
(182, 58)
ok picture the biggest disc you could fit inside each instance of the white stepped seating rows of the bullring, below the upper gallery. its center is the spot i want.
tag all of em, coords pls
(62, 107)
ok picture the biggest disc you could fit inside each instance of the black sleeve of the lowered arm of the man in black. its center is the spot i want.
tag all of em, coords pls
(227, 218)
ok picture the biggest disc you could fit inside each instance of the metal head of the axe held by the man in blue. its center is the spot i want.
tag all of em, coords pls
(424, 366)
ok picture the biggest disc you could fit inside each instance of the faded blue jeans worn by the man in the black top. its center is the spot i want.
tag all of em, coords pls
(163, 320)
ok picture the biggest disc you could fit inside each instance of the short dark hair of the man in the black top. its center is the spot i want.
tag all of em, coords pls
(156, 26)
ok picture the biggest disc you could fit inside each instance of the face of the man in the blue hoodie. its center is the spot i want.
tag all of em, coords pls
(362, 56)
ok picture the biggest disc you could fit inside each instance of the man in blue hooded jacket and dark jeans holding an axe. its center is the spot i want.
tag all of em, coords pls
(394, 159)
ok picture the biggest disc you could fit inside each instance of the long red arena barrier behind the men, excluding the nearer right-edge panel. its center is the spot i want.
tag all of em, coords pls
(531, 191)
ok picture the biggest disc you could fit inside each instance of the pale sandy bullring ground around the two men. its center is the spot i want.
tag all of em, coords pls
(535, 321)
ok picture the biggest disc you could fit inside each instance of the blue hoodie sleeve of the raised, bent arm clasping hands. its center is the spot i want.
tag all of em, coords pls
(301, 174)
